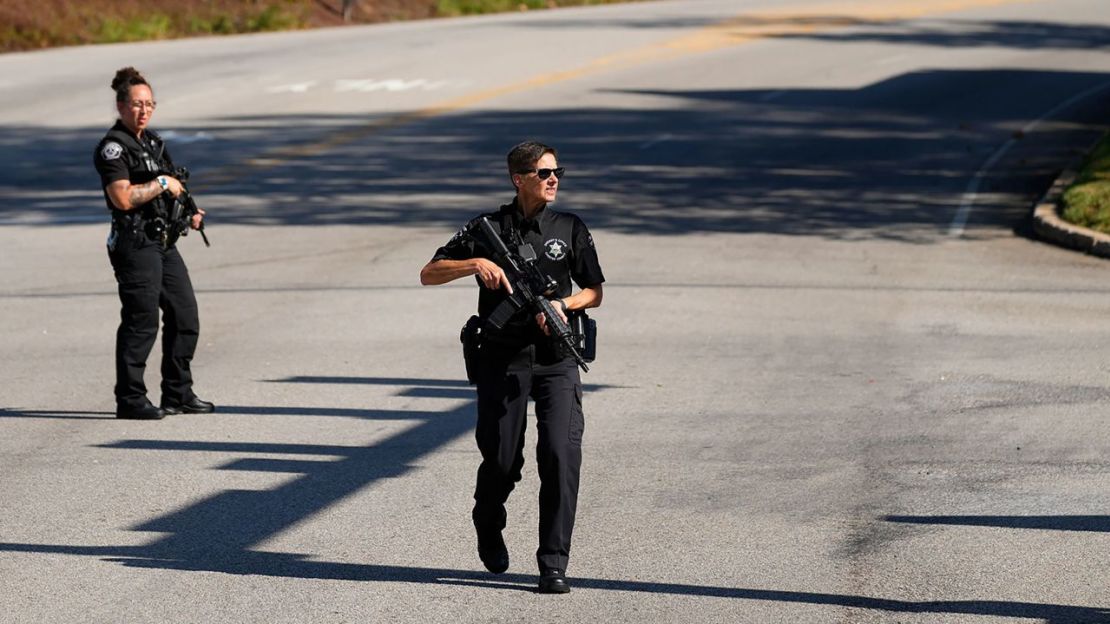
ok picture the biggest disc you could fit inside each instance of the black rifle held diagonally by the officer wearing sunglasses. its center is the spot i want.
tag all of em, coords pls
(531, 288)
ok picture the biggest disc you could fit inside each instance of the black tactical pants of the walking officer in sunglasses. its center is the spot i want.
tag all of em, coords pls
(507, 380)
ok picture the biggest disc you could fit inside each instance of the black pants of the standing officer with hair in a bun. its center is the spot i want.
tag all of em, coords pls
(152, 278)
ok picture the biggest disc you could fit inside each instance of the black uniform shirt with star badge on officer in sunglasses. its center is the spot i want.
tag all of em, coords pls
(564, 250)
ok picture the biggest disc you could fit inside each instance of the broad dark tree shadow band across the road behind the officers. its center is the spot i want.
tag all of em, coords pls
(890, 160)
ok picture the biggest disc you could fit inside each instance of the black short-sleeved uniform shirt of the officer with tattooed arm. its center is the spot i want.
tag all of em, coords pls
(138, 162)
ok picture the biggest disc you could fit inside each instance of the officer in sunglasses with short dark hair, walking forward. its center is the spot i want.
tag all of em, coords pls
(521, 361)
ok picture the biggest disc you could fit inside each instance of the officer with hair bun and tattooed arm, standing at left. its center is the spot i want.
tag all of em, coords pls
(133, 163)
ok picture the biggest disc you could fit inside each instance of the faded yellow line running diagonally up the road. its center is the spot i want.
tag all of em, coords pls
(748, 27)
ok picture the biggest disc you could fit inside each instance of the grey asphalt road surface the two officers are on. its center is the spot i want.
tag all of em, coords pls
(837, 381)
